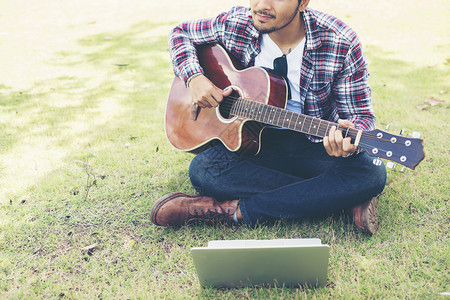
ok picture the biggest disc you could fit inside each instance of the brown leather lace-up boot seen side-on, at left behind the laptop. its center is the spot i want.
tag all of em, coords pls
(177, 209)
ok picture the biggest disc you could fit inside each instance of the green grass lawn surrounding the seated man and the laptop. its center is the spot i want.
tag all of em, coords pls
(91, 157)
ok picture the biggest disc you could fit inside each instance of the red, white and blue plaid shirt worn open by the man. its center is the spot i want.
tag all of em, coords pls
(334, 75)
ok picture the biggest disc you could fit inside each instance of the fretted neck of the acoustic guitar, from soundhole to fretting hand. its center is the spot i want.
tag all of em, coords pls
(283, 118)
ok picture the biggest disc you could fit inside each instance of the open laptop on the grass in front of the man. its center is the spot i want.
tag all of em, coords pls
(279, 262)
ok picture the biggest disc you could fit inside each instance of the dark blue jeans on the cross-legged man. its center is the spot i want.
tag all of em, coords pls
(290, 178)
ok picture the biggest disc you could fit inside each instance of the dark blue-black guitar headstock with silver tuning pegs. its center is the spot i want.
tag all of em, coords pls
(403, 150)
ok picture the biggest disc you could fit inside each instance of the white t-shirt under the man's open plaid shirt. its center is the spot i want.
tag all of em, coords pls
(270, 51)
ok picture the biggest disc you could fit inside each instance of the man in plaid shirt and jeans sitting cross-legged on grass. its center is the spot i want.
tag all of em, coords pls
(294, 175)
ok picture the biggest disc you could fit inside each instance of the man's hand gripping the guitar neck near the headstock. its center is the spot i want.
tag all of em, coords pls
(335, 144)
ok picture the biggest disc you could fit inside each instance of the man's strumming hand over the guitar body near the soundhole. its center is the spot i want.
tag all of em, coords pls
(205, 94)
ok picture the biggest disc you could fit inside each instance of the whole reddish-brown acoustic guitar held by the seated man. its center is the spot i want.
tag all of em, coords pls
(258, 99)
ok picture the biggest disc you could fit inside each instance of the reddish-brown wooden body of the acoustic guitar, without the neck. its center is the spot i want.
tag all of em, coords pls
(211, 125)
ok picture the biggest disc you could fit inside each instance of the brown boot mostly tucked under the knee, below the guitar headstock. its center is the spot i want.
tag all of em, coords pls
(365, 216)
